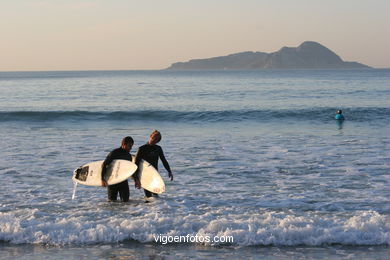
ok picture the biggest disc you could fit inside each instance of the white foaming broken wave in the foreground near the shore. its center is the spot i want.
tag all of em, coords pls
(266, 229)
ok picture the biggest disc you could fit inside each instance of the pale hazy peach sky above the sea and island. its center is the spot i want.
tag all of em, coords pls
(152, 34)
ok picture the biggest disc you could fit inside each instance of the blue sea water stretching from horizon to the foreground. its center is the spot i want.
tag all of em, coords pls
(256, 155)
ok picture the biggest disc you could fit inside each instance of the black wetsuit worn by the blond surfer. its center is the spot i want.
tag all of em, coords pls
(151, 153)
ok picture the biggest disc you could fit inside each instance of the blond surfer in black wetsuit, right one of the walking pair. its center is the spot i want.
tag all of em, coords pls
(150, 152)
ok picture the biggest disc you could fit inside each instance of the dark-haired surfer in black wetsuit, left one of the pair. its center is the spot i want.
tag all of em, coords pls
(121, 153)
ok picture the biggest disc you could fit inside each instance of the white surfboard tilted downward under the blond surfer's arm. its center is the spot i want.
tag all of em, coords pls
(150, 178)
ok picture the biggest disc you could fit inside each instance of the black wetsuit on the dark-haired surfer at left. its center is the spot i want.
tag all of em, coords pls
(122, 187)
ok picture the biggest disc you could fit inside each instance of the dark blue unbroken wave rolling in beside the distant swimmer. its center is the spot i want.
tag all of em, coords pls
(317, 114)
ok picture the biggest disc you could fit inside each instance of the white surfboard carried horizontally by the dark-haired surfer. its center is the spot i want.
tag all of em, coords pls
(90, 174)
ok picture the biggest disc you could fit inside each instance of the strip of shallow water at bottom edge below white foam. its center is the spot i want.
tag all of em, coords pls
(132, 249)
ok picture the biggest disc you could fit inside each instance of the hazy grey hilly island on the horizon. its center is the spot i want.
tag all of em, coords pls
(308, 55)
